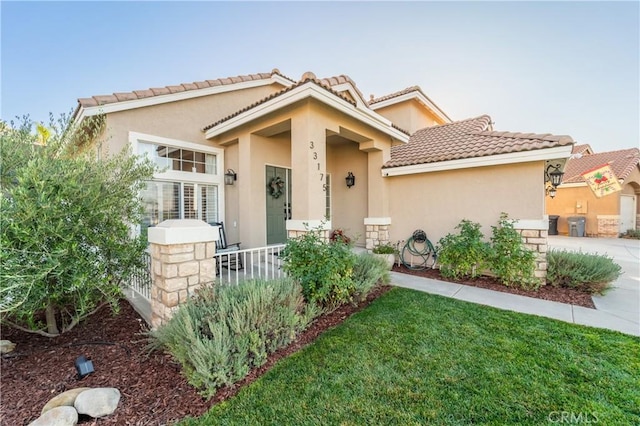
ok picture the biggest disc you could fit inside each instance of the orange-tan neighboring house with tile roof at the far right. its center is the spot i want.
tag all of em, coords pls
(610, 215)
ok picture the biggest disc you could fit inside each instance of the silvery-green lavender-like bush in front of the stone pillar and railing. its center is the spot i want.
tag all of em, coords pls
(227, 330)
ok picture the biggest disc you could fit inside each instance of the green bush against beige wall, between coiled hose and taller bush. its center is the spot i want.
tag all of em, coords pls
(463, 255)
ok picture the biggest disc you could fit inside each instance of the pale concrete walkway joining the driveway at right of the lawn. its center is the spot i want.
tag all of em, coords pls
(618, 309)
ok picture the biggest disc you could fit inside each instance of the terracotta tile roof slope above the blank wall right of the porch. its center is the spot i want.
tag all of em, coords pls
(469, 138)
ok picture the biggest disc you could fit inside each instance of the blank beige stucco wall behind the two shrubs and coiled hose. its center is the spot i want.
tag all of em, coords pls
(436, 202)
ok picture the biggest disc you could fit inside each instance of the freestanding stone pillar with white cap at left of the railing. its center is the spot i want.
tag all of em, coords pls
(181, 262)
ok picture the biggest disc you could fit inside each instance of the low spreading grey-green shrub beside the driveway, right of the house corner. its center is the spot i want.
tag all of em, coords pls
(591, 273)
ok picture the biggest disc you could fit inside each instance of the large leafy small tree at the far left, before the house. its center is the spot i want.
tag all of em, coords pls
(65, 224)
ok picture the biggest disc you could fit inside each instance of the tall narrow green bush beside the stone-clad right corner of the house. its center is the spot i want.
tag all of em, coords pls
(510, 260)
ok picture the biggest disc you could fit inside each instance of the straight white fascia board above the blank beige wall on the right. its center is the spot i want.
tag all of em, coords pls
(554, 153)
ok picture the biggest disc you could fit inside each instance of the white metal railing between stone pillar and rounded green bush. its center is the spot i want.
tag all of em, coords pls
(261, 262)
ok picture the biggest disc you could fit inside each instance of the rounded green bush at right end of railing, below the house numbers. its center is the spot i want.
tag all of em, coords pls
(323, 268)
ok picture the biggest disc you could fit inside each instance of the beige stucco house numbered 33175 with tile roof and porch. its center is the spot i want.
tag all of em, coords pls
(289, 145)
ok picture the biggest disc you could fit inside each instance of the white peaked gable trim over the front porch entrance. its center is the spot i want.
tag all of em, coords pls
(308, 90)
